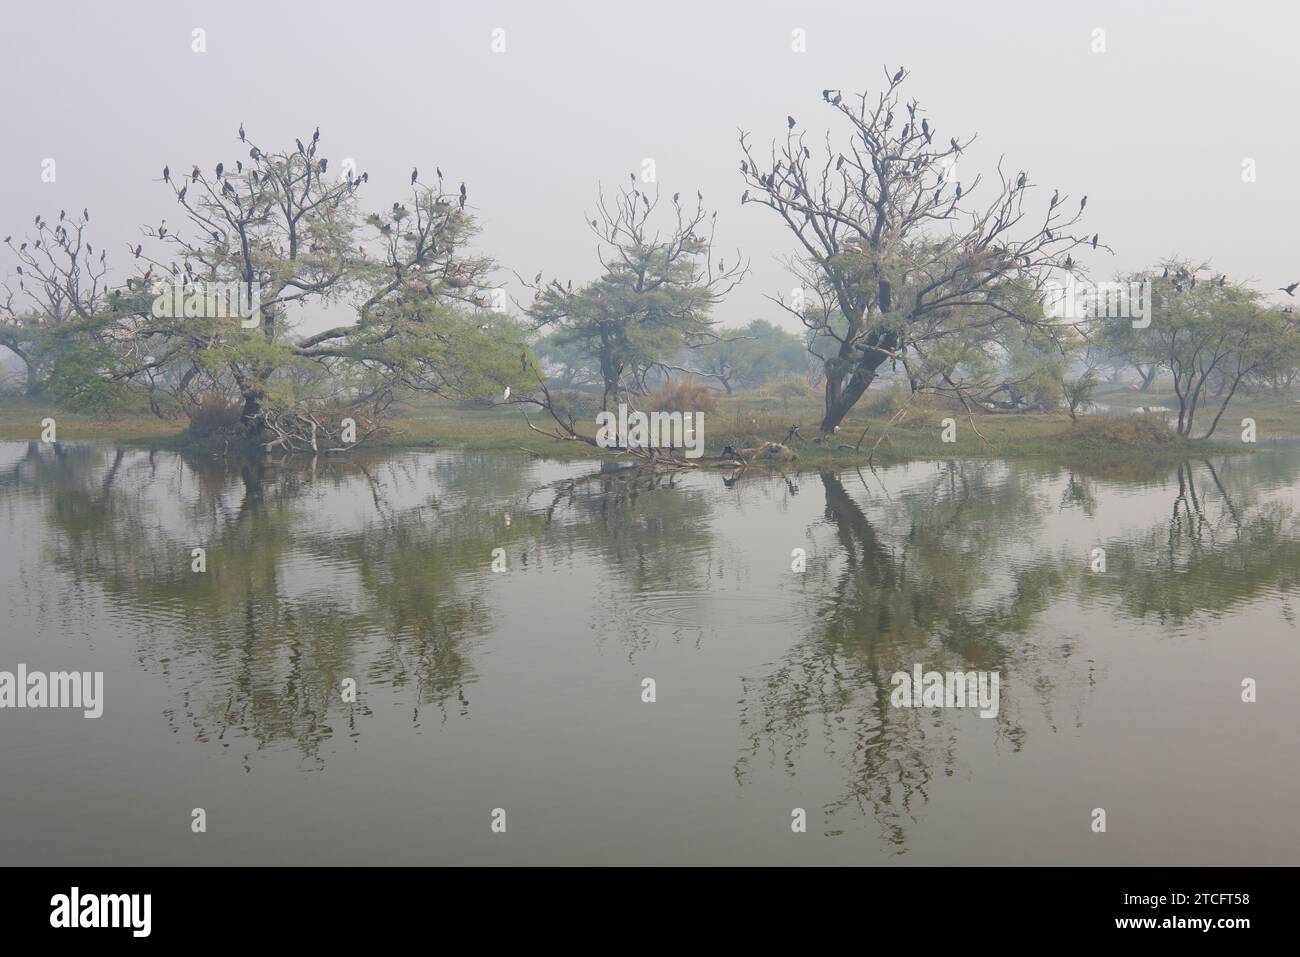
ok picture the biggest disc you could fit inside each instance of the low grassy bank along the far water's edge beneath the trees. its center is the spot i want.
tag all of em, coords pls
(749, 419)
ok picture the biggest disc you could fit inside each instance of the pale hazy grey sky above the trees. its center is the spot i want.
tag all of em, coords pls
(1155, 129)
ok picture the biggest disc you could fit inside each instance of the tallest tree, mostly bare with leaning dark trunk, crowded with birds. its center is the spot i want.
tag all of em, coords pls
(900, 261)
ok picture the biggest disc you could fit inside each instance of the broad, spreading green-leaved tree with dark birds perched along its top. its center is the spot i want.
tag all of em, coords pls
(287, 235)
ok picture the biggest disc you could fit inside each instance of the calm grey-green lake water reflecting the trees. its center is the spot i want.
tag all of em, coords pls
(523, 690)
